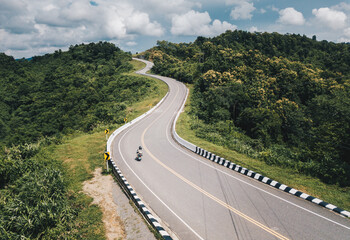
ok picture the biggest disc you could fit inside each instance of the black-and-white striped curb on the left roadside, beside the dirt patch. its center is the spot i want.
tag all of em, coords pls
(141, 206)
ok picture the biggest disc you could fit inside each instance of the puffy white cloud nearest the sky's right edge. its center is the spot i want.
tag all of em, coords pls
(334, 19)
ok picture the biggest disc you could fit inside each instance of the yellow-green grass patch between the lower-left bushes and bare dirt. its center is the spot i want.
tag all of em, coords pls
(80, 154)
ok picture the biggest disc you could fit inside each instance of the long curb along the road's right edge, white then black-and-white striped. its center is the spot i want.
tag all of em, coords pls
(247, 172)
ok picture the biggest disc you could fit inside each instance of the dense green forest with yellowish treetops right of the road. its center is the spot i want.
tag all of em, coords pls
(283, 99)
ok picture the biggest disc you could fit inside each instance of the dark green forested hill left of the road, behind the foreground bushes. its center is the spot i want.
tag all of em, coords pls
(65, 91)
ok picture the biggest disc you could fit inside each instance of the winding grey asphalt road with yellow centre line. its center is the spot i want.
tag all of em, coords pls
(198, 199)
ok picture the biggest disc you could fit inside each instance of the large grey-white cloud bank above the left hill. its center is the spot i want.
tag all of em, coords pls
(118, 21)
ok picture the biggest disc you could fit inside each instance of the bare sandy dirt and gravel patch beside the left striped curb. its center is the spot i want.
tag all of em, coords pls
(120, 219)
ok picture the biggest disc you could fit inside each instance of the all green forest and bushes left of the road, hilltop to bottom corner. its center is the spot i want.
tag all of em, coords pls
(42, 100)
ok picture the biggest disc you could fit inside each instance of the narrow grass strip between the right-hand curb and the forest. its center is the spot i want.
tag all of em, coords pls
(310, 185)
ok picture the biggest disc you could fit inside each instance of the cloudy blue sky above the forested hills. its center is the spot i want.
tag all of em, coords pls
(36, 27)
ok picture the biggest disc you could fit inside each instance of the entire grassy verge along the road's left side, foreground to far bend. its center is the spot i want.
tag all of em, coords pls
(81, 153)
